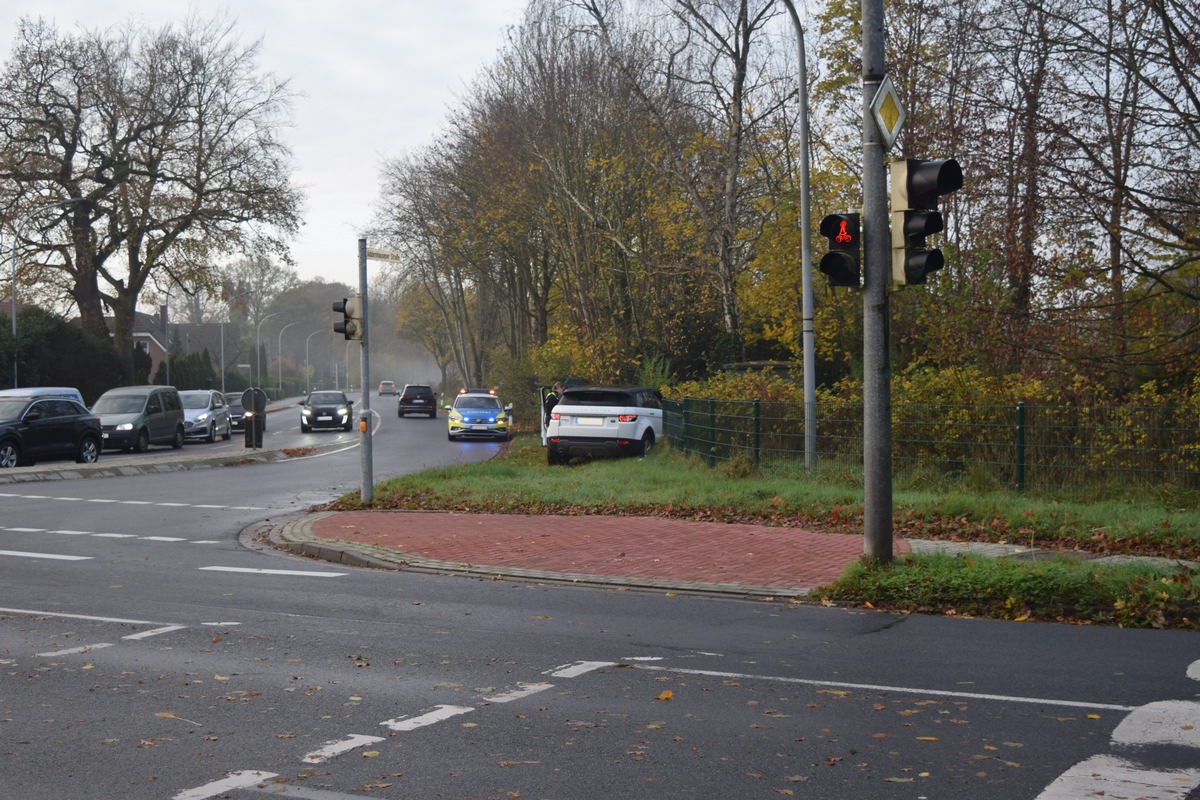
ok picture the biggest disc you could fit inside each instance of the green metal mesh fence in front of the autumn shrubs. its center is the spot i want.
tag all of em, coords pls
(1043, 447)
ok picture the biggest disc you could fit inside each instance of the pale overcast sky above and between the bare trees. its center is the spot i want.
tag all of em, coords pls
(377, 79)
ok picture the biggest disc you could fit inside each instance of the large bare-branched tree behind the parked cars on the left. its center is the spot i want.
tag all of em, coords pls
(164, 148)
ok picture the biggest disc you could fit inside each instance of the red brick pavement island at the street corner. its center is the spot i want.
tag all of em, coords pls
(625, 548)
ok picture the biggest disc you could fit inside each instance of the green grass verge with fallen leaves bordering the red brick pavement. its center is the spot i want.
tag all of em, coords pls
(669, 485)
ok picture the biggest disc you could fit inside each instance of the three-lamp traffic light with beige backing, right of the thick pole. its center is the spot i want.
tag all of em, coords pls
(916, 188)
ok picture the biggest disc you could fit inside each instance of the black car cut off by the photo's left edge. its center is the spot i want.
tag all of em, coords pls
(34, 429)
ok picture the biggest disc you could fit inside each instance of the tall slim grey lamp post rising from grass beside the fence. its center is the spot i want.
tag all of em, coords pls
(809, 346)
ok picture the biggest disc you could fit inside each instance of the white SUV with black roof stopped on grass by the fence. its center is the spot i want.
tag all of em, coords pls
(593, 422)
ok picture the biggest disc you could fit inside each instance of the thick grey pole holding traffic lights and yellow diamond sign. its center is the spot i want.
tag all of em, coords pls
(877, 315)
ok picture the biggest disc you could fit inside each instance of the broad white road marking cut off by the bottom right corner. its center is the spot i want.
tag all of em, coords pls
(1109, 777)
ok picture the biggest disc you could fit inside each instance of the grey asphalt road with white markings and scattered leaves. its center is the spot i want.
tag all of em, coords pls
(151, 648)
